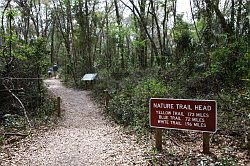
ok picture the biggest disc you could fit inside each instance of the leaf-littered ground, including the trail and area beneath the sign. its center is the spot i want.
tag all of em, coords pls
(85, 136)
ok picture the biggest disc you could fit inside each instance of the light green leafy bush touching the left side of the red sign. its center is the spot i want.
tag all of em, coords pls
(129, 106)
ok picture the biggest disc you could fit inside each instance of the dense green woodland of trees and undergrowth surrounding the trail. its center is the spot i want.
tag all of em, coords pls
(139, 49)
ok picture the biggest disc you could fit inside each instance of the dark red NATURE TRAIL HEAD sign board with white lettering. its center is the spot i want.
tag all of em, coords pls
(198, 115)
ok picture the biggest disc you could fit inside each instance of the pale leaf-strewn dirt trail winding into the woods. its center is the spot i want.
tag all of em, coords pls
(82, 137)
